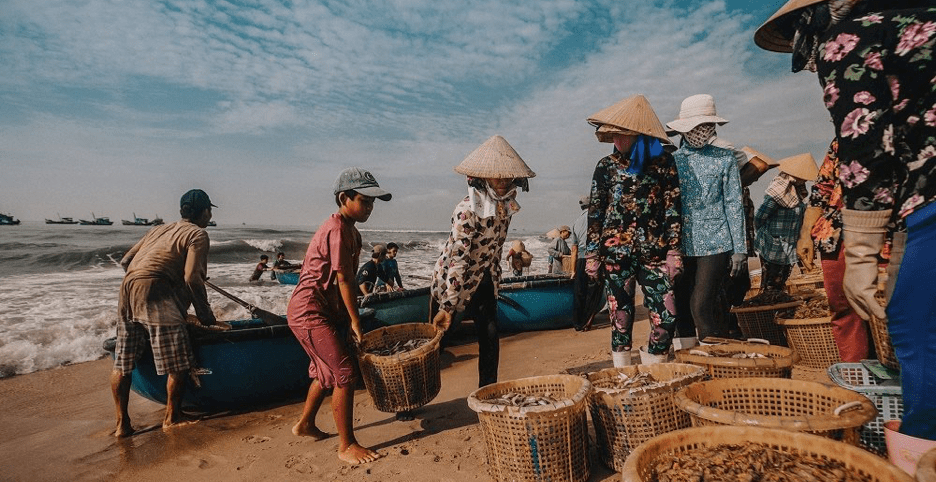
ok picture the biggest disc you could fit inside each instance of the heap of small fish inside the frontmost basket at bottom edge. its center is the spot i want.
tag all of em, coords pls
(751, 462)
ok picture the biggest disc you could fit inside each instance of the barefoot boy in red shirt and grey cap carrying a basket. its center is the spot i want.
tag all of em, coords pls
(323, 308)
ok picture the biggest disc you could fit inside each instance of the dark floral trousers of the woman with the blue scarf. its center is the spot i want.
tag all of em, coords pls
(621, 275)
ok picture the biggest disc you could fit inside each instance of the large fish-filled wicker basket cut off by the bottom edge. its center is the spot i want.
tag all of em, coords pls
(745, 454)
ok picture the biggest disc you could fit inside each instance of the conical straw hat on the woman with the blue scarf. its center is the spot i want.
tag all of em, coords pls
(631, 115)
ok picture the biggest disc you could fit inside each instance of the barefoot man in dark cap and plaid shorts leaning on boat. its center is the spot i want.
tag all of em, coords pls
(165, 274)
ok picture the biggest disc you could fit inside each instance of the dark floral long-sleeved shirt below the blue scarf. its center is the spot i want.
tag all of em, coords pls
(631, 214)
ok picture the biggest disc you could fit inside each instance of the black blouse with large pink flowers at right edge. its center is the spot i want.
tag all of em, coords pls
(879, 83)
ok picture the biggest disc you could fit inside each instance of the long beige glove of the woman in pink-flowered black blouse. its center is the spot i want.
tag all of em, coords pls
(863, 233)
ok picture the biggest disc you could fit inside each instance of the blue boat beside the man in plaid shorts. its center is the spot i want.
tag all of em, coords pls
(249, 365)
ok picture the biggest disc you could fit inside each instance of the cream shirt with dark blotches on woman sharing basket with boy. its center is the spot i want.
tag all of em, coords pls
(472, 250)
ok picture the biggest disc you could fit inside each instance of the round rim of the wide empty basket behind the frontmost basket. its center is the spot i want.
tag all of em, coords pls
(853, 419)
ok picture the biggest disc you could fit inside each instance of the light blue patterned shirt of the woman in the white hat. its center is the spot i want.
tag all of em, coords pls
(712, 212)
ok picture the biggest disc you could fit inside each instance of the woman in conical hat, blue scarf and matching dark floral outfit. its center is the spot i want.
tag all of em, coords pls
(634, 225)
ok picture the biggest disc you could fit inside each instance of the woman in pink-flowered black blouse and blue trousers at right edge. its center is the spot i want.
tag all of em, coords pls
(874, 61)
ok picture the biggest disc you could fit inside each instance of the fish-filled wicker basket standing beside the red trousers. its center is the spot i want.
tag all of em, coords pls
(808, 329)
